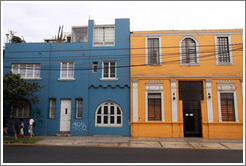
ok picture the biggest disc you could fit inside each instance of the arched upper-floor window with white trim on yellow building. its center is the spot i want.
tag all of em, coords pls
(189, 51)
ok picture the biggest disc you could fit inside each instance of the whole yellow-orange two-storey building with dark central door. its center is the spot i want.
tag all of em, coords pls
(187, 84)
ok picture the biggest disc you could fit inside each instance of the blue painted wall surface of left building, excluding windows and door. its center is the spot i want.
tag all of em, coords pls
(87, 85)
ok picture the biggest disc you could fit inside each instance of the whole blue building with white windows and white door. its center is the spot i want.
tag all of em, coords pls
(86, 82)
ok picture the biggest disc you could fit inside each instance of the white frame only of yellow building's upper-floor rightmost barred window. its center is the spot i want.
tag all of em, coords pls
(230, 50)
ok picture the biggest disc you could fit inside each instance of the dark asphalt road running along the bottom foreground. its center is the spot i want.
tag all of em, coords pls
(72, 154)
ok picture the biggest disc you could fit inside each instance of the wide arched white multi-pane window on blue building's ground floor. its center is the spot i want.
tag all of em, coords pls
(108, 114)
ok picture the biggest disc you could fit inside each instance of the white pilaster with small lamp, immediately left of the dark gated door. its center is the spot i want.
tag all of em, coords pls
(174, 100)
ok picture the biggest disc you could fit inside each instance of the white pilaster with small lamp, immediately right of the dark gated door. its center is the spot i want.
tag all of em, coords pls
(209, 100)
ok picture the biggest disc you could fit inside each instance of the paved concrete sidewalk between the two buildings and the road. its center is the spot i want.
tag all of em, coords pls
(143, 142)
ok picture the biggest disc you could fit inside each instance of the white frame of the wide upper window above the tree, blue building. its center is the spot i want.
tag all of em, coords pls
(34, 69)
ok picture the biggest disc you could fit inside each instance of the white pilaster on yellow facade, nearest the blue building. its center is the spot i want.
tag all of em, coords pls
(135, 100)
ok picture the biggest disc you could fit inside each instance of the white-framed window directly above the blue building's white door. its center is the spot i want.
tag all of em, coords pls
(67, 70)
